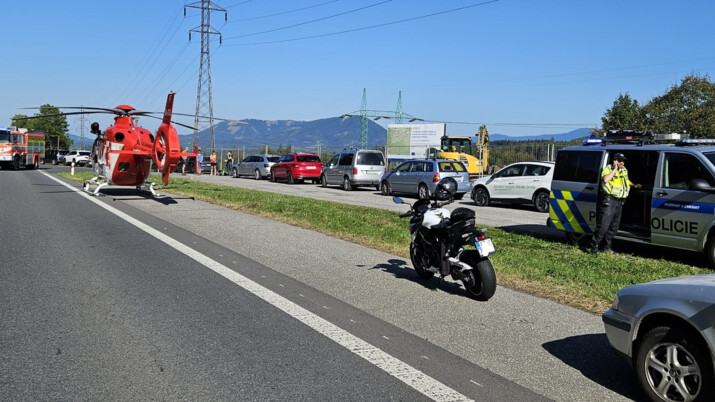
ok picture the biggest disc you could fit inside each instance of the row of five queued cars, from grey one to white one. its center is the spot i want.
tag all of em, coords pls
(523, 182)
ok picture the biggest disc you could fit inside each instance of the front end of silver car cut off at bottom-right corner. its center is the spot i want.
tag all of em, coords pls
(666, 330)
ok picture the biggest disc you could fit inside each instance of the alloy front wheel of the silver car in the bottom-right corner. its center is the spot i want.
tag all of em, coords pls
(673, 365)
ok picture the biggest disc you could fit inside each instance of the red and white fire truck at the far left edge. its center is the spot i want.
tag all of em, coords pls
(20, 147)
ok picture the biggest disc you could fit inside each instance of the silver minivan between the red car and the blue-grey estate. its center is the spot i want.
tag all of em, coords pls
(352, 168)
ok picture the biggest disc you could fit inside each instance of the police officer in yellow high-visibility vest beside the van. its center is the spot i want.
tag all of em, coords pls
(615, 187)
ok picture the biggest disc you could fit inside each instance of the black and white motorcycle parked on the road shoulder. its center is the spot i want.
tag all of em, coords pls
(439, 239)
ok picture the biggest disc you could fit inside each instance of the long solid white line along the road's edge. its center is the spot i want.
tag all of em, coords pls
(414, 378)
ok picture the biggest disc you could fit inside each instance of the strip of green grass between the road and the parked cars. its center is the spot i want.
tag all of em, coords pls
(545, 268)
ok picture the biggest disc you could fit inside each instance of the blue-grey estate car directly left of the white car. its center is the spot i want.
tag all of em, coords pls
(420, 177)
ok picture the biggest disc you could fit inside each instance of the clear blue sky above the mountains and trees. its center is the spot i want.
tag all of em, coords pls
(521, 67)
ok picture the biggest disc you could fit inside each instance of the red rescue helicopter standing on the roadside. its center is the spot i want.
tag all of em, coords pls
(122, 155)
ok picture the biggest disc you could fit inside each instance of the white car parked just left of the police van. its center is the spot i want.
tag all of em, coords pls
(523, 182)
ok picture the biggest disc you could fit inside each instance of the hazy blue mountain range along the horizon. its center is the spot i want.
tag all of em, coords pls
(329, 132)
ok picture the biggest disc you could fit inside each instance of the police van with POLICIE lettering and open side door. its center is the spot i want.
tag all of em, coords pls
(675, 206)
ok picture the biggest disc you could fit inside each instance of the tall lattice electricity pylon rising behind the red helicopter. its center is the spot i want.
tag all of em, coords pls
(204, 102)
